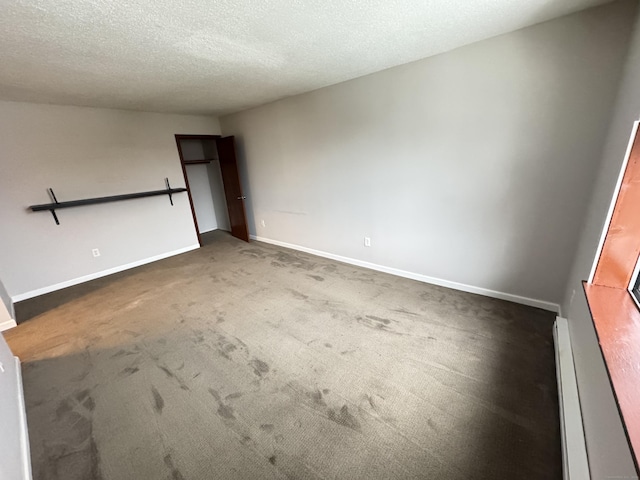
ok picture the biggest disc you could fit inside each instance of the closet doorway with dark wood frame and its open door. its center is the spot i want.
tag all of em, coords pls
(213, 185)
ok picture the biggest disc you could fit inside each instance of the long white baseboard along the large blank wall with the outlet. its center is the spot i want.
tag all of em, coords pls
(532, 302)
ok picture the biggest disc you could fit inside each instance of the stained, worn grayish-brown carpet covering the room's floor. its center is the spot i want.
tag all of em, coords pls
(249, 361)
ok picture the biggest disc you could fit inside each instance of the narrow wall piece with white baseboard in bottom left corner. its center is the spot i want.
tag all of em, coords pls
(14, 453)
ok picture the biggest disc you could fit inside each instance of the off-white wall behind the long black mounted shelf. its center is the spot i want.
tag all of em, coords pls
(80, 153)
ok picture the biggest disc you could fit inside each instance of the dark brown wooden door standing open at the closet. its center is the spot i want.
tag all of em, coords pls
(232, 188)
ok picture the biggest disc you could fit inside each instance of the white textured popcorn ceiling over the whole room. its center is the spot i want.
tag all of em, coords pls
(205, 56)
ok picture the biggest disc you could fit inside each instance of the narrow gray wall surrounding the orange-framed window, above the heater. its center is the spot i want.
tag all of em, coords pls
(609, 454)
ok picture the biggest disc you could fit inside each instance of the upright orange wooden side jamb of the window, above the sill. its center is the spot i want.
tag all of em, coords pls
(622, 243)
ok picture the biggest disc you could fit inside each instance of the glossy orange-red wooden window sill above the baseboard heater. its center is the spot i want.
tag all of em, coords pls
(617, 323)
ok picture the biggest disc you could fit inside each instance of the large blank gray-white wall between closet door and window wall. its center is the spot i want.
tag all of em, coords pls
(469, 166)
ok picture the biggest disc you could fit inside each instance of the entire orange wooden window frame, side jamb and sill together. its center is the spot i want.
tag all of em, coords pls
(614, 309)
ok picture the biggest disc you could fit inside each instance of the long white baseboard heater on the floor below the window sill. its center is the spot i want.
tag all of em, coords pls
(575, 465)
